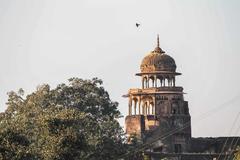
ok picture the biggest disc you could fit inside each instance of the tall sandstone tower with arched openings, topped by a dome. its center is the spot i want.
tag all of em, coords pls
(157, 110)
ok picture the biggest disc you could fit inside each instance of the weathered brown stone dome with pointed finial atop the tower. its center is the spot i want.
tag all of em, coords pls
(158, 61)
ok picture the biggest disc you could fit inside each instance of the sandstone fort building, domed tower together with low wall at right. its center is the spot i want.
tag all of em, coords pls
(159, 116)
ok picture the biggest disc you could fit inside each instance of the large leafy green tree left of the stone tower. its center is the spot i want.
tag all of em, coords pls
(72, 121)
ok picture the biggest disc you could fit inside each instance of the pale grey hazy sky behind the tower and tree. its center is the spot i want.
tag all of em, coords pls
(49, 41)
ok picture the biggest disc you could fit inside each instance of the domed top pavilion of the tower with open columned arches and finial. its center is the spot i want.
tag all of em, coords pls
(158, 68)
